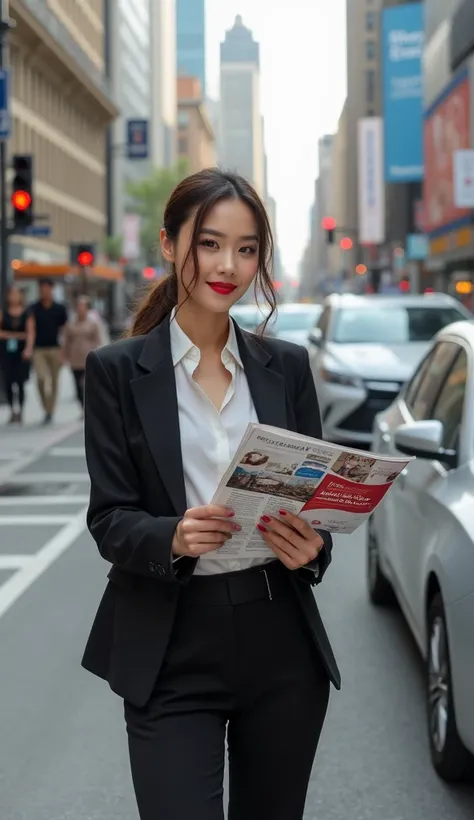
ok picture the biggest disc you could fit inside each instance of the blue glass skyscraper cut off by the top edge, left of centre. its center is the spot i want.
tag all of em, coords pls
(191, 39)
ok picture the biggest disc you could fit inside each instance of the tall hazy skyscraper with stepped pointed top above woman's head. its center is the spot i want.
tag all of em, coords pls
(241, 130)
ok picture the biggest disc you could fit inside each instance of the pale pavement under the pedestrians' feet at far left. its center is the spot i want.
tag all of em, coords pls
(18, 442)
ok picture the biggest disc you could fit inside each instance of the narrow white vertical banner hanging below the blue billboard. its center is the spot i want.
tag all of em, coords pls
(371, 186)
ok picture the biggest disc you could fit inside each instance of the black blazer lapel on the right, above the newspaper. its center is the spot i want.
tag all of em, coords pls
(267, 387)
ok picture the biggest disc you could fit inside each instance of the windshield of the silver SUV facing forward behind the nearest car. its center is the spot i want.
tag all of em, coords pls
(392, 325)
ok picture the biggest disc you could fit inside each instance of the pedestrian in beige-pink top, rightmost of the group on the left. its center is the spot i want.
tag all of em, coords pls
(81, 335)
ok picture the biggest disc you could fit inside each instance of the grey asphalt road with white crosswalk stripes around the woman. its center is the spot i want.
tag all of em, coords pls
(63, 752)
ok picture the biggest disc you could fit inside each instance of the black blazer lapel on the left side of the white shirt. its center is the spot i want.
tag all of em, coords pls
(157, 406)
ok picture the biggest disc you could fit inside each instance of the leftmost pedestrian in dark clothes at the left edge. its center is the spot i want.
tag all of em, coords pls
(17, 334)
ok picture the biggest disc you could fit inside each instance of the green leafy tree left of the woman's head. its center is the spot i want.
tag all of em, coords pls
(148, 199)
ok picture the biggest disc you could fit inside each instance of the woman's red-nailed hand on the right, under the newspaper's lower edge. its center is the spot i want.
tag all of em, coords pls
(292, 540)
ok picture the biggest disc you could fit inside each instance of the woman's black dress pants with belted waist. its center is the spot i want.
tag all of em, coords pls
(245, 667)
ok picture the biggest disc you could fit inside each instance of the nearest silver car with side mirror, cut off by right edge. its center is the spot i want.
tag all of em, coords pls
(420, 543)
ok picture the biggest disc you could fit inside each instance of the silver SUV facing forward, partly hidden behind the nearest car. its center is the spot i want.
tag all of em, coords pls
(364, 350)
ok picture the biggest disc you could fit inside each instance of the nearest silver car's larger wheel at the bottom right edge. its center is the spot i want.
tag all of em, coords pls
(449, 756)
